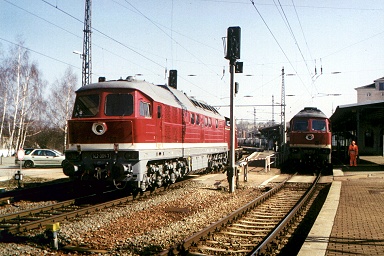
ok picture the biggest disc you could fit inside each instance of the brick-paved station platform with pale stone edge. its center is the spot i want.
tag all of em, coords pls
(351, 220)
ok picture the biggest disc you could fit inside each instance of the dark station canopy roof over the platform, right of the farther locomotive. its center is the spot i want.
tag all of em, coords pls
(346, 117)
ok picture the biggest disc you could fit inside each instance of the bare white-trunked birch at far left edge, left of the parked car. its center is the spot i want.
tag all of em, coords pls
(23, 88)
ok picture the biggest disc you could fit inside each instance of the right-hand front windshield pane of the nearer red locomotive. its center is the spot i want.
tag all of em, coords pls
(119, 105)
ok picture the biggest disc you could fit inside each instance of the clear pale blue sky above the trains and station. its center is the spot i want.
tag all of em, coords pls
(149, 36)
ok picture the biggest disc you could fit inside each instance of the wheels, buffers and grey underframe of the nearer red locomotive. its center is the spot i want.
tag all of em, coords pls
(141, 173)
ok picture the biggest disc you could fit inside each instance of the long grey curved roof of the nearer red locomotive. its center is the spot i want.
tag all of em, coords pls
(159, 93)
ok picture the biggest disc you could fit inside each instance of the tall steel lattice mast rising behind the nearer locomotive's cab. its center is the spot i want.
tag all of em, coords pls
(87, 58)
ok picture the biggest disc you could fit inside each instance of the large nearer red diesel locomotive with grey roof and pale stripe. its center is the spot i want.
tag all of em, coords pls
(137, 134)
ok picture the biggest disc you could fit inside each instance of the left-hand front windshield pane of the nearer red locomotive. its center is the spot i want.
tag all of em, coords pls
(86, 106)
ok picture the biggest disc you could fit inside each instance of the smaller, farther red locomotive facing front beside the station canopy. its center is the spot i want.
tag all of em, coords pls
(310, 139)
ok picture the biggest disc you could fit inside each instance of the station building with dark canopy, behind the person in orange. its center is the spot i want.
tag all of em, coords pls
(362, 122)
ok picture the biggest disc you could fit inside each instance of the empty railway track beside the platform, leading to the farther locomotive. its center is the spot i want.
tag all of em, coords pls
(252, 229)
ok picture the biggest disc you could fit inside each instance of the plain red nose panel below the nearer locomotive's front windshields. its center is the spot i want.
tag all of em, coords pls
(80, 132)
